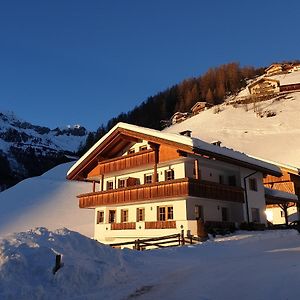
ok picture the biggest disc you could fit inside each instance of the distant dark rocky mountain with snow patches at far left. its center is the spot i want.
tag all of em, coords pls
(28, 150)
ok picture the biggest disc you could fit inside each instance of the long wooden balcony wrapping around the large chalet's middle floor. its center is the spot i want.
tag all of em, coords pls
(162, 190)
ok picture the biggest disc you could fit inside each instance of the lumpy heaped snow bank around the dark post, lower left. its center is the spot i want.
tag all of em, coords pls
(27, 260)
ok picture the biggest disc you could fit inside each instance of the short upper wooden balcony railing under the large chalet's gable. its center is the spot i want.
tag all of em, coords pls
(126, 162)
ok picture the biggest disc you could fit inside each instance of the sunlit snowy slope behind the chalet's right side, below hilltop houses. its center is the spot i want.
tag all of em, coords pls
(271, 132)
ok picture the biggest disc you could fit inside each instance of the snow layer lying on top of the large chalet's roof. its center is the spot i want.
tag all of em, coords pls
(194, 143)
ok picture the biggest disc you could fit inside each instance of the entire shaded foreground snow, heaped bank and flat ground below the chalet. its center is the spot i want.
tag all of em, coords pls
(247, 265)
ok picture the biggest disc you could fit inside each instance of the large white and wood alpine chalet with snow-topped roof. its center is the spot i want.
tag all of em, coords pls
(148, 183)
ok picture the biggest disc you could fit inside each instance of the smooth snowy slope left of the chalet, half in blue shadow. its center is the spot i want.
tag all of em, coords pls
(48, 200)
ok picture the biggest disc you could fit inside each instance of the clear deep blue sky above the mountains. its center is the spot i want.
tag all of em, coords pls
(69, 62)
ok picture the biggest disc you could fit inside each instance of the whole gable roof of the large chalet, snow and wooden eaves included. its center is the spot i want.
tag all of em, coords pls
(122, 135)
